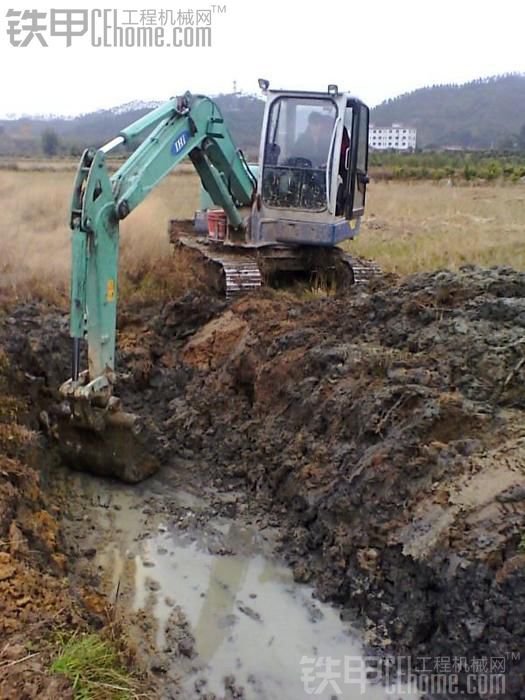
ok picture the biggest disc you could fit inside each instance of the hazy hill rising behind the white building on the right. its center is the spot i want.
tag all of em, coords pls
(485, 113)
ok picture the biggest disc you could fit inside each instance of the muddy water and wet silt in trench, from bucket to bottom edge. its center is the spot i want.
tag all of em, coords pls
(172, 555)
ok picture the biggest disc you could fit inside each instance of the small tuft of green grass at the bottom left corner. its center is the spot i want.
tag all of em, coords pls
(94, 668)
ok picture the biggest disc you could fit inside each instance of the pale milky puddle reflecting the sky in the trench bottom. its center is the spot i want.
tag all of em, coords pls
(248, 617)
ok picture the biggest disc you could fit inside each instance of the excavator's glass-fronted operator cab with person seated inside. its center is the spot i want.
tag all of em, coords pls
(313, 168)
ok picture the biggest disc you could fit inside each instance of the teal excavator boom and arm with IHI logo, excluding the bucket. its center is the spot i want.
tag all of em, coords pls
(185, 126)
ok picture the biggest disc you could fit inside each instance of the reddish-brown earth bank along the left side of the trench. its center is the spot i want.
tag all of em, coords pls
(35, 597)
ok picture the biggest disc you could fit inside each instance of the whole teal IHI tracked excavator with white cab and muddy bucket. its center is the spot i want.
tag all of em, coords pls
(284, 216)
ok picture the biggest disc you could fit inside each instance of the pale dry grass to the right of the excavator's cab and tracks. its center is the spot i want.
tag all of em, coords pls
(412, 227)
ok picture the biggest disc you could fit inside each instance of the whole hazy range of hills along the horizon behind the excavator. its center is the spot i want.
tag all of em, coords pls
(488, 113)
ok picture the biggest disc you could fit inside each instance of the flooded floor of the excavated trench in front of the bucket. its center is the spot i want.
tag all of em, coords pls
(215, 613)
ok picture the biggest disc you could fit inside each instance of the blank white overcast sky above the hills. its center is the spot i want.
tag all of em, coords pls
(375, 50)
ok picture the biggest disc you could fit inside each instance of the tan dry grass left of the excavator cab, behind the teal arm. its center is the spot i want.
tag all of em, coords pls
(35, 233)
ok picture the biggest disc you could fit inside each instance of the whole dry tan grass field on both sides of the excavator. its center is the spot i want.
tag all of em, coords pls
(408, 227)
